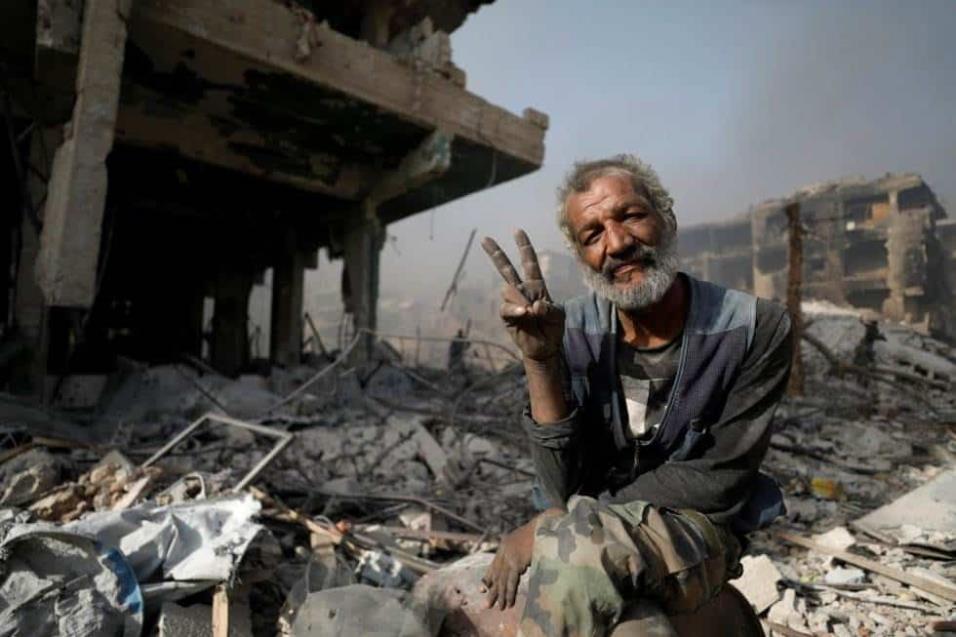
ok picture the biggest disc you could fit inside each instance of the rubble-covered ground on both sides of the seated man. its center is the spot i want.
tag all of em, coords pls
(380, 474)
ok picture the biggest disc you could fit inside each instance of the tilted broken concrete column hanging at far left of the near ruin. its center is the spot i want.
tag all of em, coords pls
(70, 242)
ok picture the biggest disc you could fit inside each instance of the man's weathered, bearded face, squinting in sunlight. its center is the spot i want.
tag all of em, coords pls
(627, 249)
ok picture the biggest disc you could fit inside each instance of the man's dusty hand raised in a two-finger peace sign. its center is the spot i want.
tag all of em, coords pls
(535, 323)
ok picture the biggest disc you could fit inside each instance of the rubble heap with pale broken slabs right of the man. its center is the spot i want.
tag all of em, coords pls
(867, 460)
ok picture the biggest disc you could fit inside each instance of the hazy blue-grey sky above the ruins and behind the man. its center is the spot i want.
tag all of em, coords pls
(732, 102)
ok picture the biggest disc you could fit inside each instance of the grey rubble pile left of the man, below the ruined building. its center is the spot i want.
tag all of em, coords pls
(391, 472)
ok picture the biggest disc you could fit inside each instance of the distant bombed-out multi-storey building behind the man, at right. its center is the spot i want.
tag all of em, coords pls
(885, 245)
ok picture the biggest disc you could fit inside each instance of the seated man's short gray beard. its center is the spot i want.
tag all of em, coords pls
(658, 277)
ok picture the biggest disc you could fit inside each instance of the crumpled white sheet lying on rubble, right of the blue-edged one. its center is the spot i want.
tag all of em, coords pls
(198, 540)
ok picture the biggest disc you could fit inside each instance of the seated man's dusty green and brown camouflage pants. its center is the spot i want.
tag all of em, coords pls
(600, 564)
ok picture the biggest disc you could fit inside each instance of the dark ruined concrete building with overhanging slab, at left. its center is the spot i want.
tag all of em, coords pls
(163, 154)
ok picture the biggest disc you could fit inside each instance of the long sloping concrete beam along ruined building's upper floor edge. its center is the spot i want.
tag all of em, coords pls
(264, 34)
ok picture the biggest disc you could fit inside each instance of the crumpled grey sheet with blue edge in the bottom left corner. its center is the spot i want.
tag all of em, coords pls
(57, 583)
